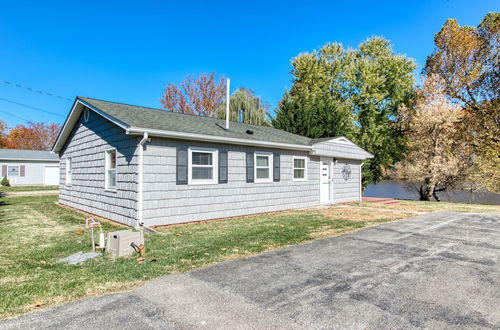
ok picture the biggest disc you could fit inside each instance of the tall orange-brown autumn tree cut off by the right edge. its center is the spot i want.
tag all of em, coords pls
(467, 60)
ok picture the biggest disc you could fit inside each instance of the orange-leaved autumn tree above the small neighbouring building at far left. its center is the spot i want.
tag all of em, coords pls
(34, 136)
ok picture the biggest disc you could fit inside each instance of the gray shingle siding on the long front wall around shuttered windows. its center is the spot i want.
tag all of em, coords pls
(165, 202)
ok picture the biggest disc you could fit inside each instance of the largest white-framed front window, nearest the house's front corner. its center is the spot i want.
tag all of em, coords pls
(202, 166)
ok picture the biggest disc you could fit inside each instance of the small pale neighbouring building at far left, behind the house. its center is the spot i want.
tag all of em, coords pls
(29, 167)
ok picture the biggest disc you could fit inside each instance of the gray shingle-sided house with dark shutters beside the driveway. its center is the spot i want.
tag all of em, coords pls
(139, 165)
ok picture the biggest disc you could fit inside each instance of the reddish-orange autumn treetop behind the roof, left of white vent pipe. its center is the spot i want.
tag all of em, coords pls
(200, 96)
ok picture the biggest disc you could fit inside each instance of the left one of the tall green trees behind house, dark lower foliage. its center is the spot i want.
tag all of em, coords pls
(316, 105)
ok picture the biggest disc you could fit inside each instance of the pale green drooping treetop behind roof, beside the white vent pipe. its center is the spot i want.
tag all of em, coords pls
(254, 109)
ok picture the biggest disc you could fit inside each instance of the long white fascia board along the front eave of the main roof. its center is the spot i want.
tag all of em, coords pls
(217, 139)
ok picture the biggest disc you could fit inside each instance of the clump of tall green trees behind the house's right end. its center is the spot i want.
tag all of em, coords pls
(351, 92)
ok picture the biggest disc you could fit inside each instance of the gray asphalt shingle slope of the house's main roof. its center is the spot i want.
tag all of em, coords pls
(159, 119)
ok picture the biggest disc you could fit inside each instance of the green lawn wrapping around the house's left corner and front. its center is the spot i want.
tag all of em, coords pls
(35, 232)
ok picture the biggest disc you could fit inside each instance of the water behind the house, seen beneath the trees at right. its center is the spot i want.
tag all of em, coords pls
(397, 189)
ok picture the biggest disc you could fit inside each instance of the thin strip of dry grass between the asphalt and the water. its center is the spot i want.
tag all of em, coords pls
(420, 206)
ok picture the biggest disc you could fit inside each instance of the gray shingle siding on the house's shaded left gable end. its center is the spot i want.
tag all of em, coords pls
(86, 146)
